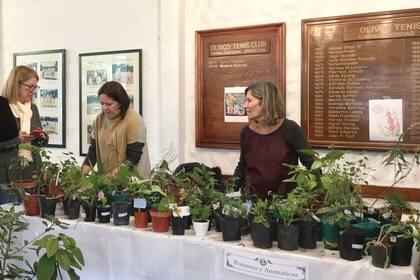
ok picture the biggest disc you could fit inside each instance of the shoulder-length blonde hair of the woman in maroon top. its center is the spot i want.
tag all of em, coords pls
(272, 105)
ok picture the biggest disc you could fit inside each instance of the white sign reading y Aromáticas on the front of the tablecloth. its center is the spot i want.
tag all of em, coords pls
(265, 267)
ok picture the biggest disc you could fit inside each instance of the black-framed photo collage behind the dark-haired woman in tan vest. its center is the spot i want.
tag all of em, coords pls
(96, 69)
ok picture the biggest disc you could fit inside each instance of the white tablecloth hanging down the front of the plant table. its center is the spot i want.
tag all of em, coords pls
(124, 252)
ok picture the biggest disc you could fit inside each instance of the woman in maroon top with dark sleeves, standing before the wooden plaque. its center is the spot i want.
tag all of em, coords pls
(268, 142)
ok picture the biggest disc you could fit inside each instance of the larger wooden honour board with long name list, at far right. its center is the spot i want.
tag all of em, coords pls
(361, 79)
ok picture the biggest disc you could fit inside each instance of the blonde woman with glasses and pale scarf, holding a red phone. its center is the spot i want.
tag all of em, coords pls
(19, 89)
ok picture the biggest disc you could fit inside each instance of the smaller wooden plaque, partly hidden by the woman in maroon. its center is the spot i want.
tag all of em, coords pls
(227, 61)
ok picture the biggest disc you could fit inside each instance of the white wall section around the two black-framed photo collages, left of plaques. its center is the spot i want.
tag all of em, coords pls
(102, 25)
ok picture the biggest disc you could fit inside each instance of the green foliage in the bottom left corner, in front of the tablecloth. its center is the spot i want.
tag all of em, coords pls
(61, 252)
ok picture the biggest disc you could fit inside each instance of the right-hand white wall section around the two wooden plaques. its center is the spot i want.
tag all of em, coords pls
(211, 14)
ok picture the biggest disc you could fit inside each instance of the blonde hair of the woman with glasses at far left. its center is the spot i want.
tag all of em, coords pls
(18, 75)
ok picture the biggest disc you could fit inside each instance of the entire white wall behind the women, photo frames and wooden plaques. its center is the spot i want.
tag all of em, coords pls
(164, 30)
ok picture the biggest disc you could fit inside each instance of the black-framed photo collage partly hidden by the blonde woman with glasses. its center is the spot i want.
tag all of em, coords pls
(51, 98)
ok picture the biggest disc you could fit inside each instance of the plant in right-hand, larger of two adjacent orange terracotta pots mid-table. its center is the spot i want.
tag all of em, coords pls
(162, 213)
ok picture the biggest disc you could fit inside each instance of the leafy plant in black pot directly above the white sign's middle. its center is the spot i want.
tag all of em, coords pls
(260, 225)
